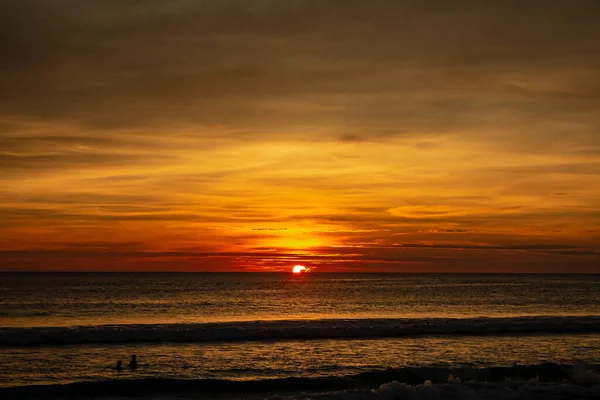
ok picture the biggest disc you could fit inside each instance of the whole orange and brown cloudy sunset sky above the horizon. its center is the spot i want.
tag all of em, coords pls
(345, 135)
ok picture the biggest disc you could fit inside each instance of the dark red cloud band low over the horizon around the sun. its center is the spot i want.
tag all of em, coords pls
(426, 258)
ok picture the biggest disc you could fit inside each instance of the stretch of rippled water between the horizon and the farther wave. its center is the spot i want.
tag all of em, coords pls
(94, 299)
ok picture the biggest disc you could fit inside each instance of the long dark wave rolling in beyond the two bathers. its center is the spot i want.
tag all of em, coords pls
(296, 329)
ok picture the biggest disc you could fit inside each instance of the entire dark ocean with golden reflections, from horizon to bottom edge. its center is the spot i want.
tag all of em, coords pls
(313, 335)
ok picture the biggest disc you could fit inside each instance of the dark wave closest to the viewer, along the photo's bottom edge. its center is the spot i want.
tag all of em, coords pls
(547, 381)
